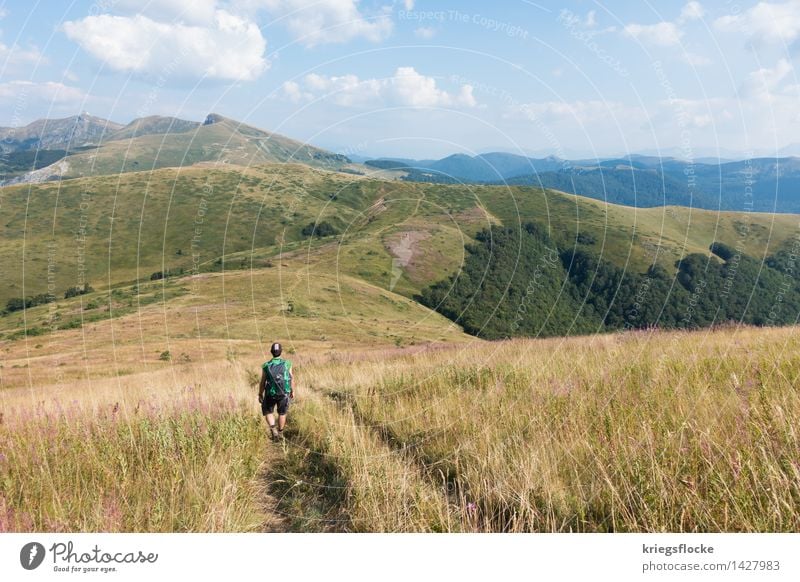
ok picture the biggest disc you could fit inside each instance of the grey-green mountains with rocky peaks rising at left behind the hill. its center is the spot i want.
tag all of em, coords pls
(84, 145)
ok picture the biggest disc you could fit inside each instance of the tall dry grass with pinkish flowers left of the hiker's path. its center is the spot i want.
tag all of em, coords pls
(187, 461)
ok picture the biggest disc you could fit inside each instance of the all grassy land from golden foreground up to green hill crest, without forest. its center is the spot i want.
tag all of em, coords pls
(132, 407)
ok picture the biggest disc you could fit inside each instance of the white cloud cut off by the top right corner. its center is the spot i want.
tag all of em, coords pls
(765, 22)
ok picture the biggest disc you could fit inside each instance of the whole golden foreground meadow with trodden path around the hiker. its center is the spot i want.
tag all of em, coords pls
(628, 432)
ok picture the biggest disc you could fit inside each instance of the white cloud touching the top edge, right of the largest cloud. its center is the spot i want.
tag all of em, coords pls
(330, 21)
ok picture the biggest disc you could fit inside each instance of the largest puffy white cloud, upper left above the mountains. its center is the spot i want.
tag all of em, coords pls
(228, 47)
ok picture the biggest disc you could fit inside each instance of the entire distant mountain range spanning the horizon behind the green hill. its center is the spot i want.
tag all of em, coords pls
(84, 145)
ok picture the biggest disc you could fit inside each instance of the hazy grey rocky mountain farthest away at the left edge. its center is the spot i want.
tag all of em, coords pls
(57, 134)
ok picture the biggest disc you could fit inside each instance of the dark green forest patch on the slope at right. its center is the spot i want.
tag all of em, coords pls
(518, 282)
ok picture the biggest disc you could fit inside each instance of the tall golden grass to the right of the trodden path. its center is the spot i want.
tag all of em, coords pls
(636, 432)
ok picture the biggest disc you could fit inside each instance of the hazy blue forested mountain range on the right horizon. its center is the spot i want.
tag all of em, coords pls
(761, 184)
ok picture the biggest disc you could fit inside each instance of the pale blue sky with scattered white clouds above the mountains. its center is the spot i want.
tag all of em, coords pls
(423, 78)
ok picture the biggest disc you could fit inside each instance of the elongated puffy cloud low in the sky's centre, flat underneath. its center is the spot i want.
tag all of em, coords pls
(406, 87)
